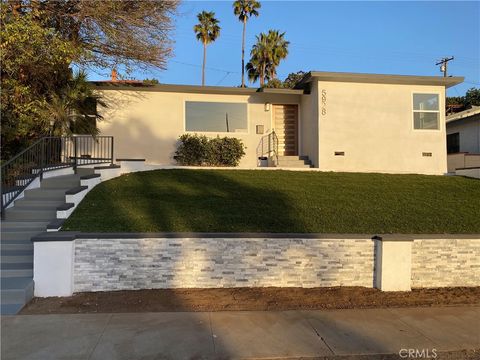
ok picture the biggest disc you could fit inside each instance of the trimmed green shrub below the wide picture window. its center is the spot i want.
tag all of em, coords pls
(198, 150)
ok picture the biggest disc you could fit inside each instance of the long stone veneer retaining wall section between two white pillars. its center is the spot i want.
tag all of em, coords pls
(126, 264)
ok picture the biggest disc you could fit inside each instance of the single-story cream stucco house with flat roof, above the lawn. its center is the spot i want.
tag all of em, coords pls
(340, 121)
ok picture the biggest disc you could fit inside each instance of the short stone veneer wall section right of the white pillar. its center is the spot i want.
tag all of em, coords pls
(445, 262)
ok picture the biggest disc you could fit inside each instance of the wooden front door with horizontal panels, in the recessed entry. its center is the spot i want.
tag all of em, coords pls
(286, 127)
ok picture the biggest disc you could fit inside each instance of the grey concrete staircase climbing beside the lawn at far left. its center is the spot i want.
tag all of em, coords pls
(29, 217)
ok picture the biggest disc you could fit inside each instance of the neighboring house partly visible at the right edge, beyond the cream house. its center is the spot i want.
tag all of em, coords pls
(463, 139)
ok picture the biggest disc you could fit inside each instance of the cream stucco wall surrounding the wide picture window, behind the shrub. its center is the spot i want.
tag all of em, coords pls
(147, 124)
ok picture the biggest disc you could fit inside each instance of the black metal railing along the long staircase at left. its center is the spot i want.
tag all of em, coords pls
(51, 153)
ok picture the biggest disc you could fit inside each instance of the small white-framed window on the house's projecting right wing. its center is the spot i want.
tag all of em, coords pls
(426, 114)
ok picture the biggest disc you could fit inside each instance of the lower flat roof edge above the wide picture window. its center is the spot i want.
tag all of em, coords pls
(111, 85)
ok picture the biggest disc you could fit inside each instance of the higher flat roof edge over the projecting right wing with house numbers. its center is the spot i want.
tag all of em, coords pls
(379, 79)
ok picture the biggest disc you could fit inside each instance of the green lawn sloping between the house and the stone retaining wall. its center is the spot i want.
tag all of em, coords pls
(280, 201)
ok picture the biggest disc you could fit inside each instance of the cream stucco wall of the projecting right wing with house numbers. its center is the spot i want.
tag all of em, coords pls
(373, 125)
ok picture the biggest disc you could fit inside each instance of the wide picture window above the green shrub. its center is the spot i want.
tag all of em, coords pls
(216, 117)
